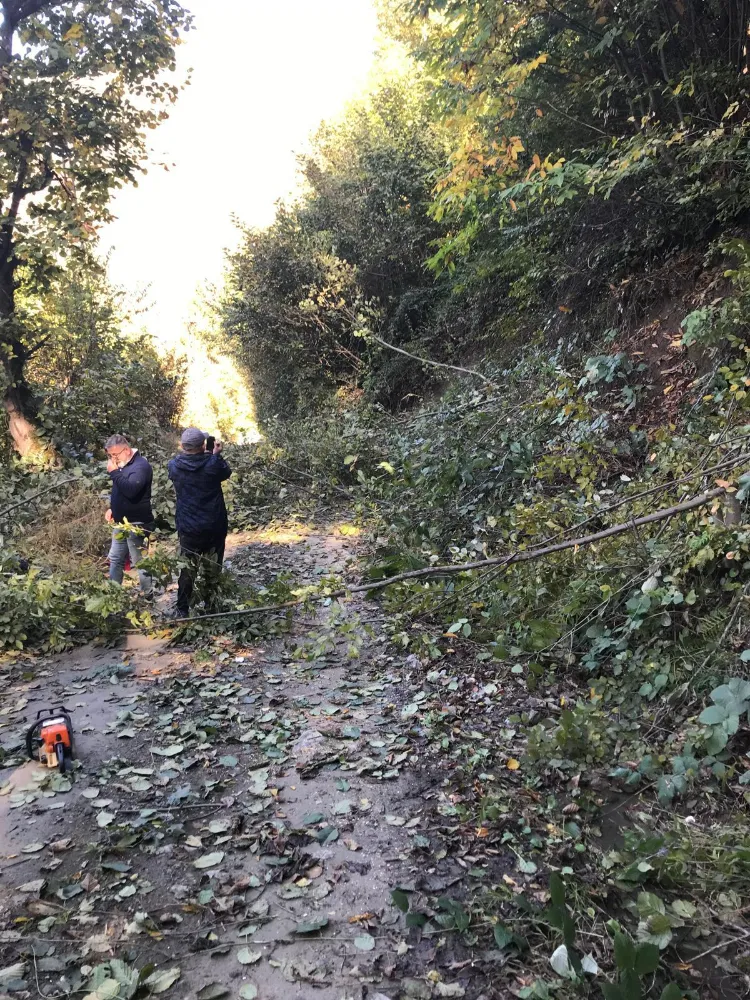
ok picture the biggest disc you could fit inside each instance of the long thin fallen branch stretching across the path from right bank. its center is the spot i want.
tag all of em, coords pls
(525, 555)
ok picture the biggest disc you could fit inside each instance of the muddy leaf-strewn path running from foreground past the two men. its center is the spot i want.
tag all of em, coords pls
(238, 818)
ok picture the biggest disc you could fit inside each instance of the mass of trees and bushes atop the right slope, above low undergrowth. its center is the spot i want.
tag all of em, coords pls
(562, 168)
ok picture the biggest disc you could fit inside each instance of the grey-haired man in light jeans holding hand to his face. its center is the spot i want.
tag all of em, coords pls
(130, 500)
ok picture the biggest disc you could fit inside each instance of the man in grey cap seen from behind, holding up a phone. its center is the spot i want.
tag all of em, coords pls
(201, 513)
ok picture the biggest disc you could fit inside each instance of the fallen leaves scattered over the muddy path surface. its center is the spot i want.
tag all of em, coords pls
(263, 791)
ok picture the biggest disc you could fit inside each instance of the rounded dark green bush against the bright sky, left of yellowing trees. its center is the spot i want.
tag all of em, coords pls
(346, 260)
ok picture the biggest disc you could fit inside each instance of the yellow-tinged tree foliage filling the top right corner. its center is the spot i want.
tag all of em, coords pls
(601, 138)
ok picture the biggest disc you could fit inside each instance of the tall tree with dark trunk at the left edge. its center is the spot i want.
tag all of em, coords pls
(81, 83)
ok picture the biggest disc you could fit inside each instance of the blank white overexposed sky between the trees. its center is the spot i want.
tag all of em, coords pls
(265, 74)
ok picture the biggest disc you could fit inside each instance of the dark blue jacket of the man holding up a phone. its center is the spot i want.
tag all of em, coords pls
(200, 501)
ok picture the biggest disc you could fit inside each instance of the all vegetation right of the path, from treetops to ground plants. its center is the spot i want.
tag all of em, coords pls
(560, 206)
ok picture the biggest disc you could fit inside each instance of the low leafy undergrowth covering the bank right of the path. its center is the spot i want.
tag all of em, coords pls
(622, 661)
